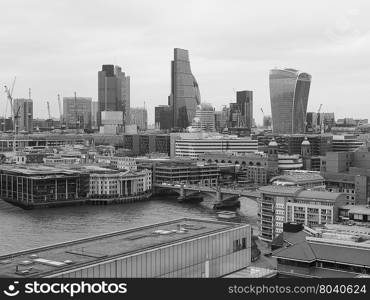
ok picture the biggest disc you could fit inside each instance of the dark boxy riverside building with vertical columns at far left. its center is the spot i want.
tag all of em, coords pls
(37, 186)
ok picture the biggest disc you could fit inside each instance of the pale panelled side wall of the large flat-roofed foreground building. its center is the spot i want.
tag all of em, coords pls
(213, 255)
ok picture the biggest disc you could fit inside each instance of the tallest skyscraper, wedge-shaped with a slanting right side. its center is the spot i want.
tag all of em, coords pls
(185, 95)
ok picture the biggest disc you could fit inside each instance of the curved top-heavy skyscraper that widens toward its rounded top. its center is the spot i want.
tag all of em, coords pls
(289, 91)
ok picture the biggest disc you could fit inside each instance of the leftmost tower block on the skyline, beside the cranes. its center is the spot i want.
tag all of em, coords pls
(23, 114)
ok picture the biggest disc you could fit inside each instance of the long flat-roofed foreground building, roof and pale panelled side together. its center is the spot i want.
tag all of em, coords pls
(183, 248)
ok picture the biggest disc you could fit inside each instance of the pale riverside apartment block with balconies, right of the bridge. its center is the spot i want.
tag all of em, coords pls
(280, 204)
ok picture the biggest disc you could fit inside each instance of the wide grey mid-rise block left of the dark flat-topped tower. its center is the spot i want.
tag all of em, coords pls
(77, 112)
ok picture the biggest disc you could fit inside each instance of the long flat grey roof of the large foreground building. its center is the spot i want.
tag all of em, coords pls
(57, 258)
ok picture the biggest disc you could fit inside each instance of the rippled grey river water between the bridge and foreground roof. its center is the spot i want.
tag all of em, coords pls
(24, 229)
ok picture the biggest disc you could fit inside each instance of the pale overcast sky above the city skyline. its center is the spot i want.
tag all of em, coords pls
(59, 46)
